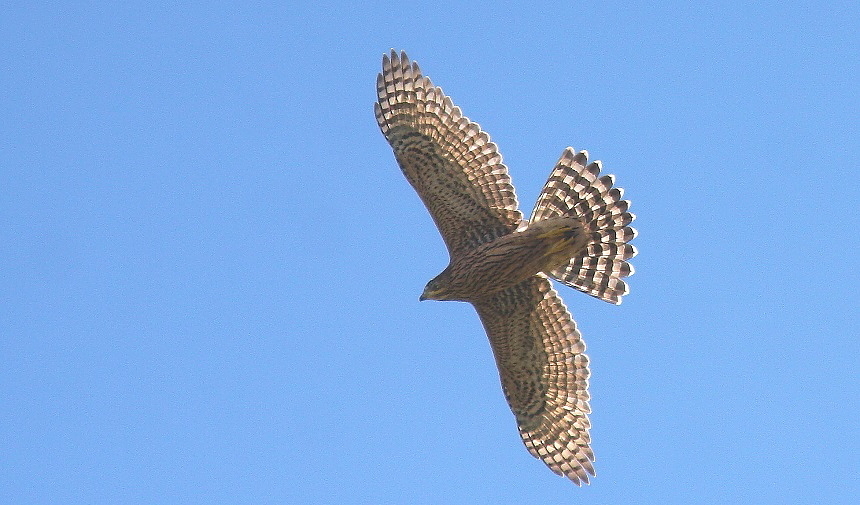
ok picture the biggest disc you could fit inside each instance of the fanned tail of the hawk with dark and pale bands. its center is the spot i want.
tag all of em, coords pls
(576, 189)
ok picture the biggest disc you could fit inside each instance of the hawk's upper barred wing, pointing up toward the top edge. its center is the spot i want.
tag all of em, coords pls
(451, 163)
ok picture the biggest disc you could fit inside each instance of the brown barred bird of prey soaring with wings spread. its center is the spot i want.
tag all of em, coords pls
(578, 234)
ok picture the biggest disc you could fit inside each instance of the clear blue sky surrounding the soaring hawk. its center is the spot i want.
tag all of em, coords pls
(211, 262)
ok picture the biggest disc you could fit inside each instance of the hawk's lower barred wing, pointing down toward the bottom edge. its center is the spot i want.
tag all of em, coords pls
(544, 373)
